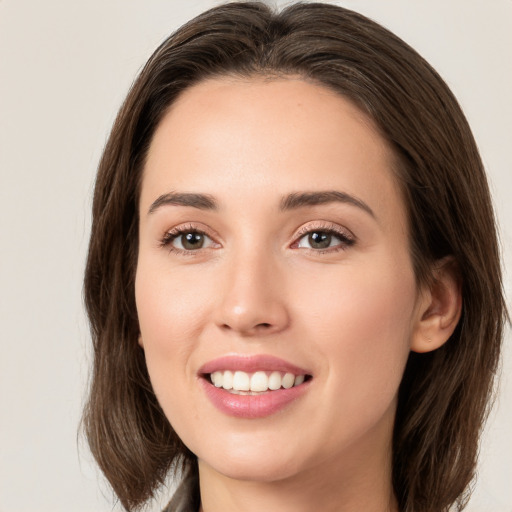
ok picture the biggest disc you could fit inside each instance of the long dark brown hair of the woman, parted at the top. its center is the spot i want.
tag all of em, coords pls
(444, 395)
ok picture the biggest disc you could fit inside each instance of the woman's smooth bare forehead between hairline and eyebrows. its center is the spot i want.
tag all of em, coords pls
(230, 137)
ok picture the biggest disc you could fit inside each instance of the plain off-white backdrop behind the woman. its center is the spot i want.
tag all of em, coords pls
(65, 67)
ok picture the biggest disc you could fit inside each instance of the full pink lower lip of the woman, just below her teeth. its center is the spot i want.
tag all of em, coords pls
(252, 406)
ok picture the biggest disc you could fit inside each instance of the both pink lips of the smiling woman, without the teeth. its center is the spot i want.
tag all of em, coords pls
(251, 406)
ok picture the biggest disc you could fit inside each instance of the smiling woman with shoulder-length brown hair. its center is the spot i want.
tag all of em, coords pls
(293, 278)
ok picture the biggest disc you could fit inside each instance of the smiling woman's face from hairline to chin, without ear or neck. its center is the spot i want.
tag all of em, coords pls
(274, 254)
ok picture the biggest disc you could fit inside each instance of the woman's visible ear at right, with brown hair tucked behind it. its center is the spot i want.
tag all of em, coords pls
(440, 307)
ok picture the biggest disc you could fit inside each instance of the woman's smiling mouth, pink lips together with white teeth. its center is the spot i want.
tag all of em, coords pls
(253, 386)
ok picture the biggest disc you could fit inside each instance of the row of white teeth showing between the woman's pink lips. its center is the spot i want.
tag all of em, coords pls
(257, 382)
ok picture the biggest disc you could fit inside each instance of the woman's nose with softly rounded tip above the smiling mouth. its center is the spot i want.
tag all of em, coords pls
(252, 299)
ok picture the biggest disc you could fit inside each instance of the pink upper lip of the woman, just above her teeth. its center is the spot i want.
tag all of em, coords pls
(252, 363)
